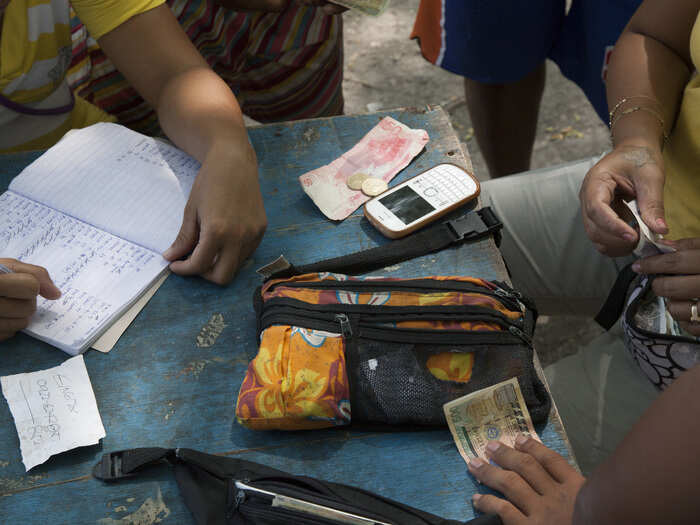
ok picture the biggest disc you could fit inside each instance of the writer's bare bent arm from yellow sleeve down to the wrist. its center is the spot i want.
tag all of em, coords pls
(196, 108)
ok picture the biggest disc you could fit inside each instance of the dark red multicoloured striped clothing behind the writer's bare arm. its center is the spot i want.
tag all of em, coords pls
(281, 66)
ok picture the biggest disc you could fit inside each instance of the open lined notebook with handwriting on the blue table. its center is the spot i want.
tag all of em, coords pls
(97, 210)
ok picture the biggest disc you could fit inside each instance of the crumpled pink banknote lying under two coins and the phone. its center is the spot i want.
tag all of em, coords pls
(382, 153)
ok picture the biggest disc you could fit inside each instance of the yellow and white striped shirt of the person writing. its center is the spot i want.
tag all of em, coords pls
(35, 52)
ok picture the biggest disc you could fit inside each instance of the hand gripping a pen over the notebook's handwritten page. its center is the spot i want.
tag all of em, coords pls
(20, 283)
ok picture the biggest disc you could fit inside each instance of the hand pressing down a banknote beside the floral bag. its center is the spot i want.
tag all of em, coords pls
(539, 484)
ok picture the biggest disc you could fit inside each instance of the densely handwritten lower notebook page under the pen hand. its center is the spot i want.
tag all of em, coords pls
(98, 274)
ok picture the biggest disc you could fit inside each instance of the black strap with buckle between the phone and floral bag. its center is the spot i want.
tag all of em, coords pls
(470, 227)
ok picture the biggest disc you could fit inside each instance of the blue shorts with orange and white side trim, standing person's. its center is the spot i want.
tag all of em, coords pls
(501, 42)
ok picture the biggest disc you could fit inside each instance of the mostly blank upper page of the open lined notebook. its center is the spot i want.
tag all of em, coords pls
(127, 184)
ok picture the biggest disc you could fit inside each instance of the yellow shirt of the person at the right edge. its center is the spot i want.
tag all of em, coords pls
(682, 157)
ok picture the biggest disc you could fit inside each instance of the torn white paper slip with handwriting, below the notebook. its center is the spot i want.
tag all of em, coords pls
(54, 410)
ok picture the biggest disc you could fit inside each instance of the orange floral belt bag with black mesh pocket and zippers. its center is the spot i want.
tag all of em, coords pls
(336, 349)
